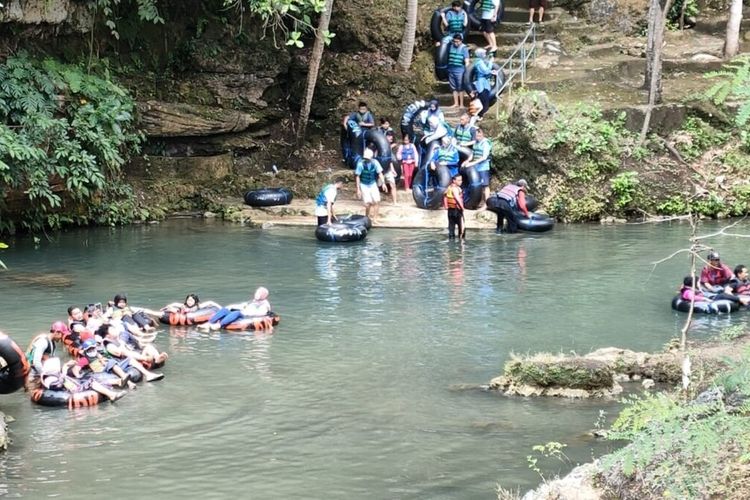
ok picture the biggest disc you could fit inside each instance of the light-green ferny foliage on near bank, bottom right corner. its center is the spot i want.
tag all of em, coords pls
(677, 450)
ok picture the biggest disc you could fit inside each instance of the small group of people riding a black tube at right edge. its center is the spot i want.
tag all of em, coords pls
(717, 282)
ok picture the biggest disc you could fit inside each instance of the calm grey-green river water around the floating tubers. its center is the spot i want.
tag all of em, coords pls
(368, 387)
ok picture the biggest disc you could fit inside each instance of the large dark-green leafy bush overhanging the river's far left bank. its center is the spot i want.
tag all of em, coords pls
(64, 135)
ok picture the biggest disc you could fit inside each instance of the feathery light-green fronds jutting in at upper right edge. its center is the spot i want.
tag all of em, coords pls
(734, 85)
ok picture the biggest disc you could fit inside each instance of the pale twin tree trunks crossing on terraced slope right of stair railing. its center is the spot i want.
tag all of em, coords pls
(657, 20)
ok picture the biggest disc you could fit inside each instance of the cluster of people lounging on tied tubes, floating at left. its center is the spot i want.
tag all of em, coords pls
(110, 347)
